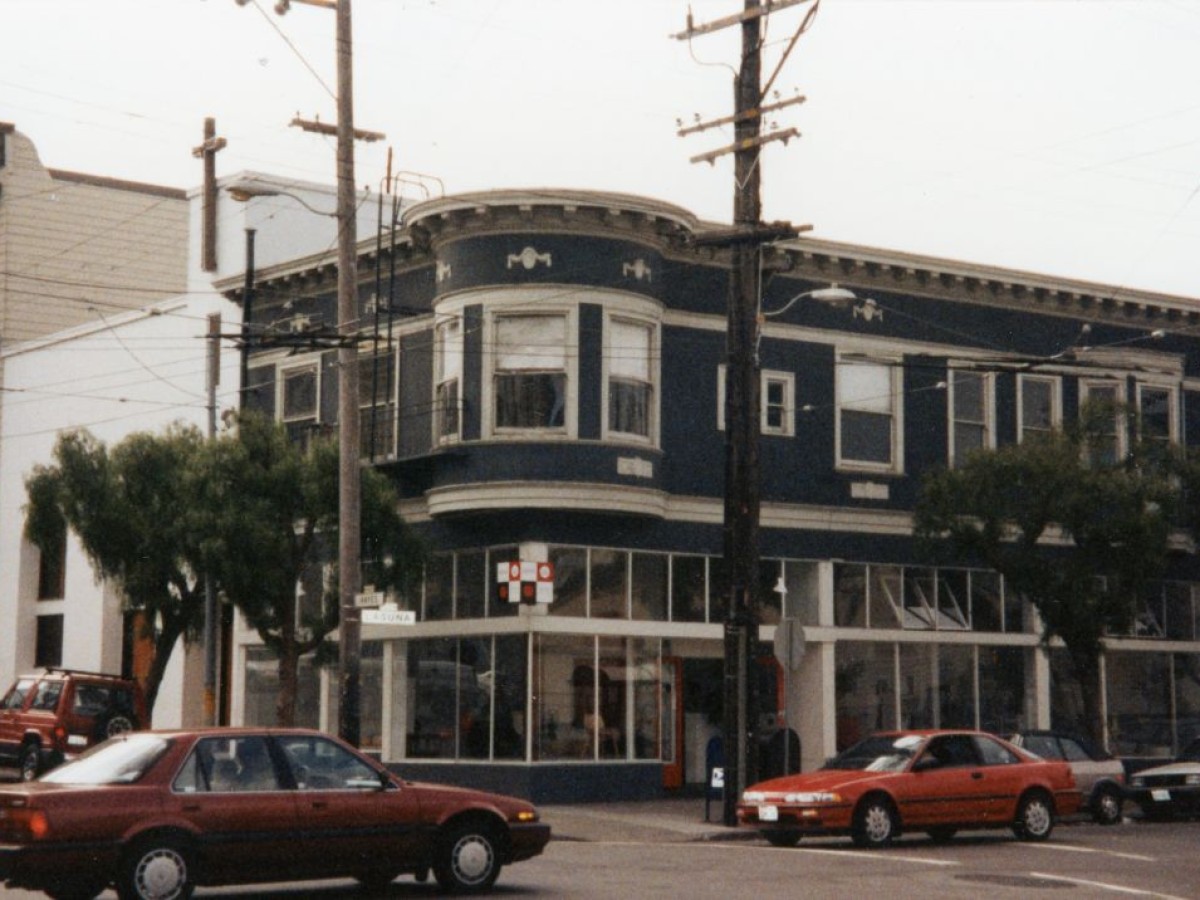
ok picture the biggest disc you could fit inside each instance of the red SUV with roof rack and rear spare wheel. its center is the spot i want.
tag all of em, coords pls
(52, 716)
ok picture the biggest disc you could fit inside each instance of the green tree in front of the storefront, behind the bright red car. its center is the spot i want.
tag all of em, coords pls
(1079, 541)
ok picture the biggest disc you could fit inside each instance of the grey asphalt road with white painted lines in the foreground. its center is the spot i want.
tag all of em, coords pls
(1082, 861)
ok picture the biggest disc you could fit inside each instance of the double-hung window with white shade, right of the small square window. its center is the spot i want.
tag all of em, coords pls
(869, 415)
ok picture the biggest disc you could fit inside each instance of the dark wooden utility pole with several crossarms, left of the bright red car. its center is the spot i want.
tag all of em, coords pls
(743, 397)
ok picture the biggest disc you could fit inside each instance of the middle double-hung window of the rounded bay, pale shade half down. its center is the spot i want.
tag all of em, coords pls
(530, 375)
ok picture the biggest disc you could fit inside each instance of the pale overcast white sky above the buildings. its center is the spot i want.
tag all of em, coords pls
(1059, 137)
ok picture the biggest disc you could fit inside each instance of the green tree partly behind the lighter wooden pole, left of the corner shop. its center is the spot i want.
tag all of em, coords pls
(273, 524)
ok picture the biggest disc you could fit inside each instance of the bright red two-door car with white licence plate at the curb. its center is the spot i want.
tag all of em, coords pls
(937, 782)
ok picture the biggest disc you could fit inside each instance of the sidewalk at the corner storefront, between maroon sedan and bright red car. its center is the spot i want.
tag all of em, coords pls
(664, 821)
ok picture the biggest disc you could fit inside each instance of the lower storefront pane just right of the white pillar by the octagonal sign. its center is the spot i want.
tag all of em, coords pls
(866, 689)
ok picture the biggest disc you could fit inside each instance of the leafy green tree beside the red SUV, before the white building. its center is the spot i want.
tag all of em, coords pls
(135, 512)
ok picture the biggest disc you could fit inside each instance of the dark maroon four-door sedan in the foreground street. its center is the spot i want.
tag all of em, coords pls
(159, 813)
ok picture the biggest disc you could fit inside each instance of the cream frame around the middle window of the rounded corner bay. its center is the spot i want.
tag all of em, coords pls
(511, 309)
